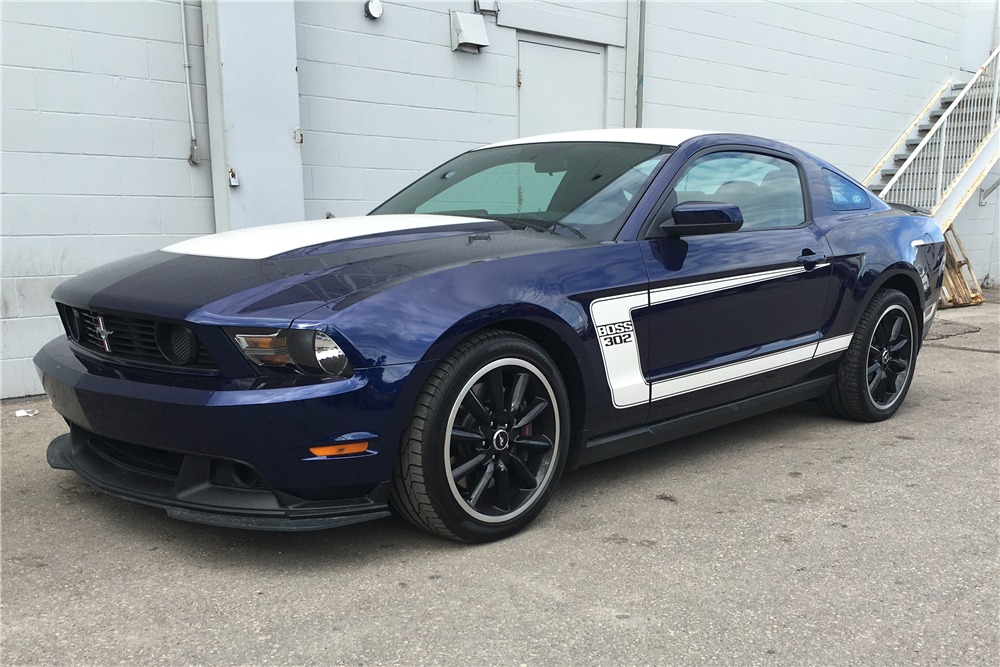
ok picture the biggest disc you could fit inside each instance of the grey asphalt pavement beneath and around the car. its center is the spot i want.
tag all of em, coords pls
(792, 538)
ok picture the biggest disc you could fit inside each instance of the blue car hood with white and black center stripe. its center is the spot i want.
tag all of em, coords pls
(277, 273)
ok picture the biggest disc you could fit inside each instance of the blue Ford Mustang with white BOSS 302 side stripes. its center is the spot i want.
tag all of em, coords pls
(525, 308)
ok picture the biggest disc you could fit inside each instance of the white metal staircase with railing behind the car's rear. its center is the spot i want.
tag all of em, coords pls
(940, 162)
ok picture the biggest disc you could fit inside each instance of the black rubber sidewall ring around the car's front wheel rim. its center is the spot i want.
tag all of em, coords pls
(436, 468)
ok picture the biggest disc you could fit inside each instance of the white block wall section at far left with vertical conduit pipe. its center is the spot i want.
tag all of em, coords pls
(95, 145)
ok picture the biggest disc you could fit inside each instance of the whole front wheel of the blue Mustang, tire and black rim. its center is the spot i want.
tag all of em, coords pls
(487, 440)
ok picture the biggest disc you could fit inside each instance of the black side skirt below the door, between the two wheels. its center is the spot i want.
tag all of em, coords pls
(633, 440)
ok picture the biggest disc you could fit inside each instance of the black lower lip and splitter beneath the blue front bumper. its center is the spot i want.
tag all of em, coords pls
(186, 486)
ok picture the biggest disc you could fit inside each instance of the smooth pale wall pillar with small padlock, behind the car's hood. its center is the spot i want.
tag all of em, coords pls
(253, 112)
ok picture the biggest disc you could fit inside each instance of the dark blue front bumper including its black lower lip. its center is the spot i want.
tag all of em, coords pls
(269, 430)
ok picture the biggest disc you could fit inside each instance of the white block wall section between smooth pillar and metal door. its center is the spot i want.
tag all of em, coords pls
(383, 101)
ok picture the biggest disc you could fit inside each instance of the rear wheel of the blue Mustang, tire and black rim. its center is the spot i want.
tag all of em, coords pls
(875, 372)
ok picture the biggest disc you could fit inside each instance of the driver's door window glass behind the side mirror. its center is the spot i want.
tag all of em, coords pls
(767, 189)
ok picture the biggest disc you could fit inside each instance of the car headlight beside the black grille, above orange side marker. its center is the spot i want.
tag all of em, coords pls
(304, 351)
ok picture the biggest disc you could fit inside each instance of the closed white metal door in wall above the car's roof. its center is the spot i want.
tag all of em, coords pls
(559, 88)
